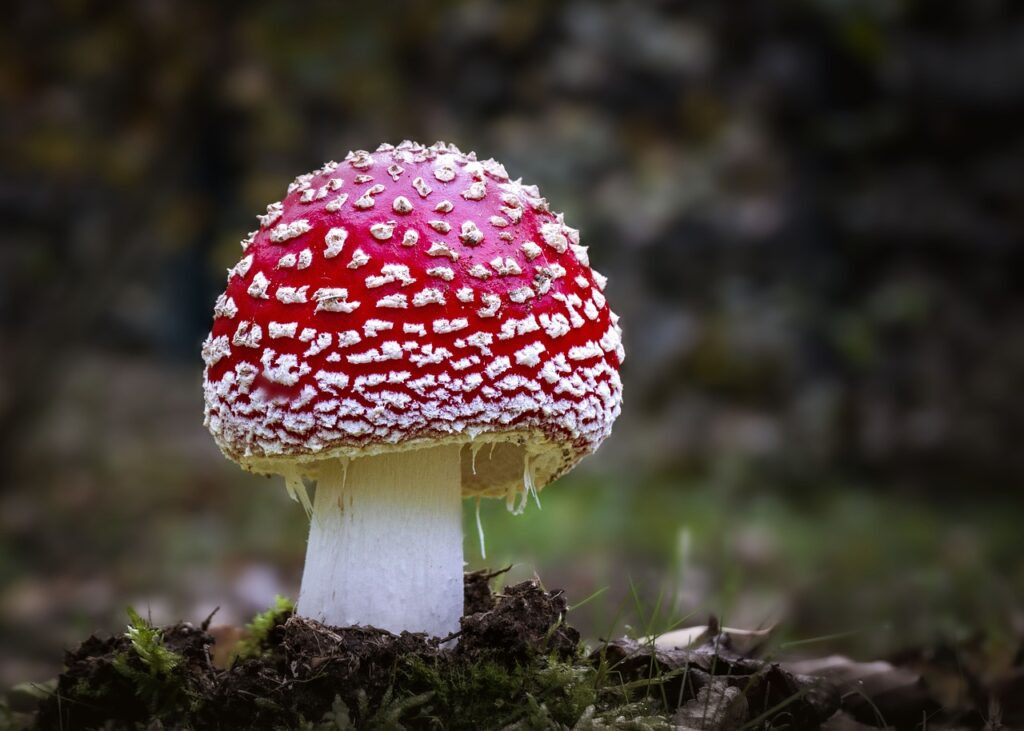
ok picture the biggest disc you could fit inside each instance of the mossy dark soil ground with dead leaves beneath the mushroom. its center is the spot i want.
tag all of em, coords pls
(517, 665)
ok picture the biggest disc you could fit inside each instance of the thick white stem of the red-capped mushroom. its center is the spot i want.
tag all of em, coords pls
(386, 544)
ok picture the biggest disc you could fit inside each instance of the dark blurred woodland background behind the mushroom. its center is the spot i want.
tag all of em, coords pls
(812, 213)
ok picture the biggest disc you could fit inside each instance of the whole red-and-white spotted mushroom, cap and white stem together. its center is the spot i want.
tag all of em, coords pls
(408, 328)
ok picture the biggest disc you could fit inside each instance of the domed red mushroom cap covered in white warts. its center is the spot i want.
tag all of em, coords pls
(409, 297)
